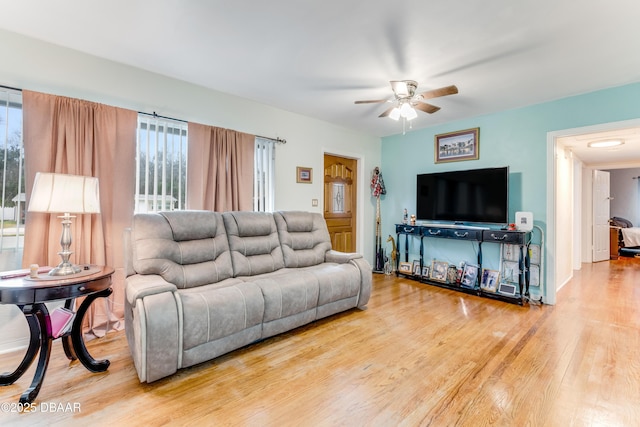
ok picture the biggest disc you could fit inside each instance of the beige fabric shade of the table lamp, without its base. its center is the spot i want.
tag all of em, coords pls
(55, 193)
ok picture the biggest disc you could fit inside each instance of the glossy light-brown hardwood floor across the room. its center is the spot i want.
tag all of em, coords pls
(419, 355)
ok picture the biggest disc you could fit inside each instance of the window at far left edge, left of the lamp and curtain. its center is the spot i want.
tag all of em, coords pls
(12, 186)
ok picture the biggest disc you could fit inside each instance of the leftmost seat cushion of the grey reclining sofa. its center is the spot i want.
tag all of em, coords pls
(219, 310)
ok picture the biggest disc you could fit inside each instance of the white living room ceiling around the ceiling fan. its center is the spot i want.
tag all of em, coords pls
(316, 57)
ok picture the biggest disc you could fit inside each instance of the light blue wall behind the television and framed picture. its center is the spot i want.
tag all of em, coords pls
(515, 138)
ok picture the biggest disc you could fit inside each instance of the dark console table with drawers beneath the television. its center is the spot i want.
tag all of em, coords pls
(471, 234)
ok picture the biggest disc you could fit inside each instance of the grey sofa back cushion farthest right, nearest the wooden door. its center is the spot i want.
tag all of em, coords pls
(304, 238)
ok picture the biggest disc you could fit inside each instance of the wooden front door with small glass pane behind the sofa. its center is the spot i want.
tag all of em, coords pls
(340, 201)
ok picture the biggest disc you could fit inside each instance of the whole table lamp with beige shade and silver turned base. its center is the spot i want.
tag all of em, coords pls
(66, 194)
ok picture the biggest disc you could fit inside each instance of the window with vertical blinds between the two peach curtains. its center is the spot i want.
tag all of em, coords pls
(161, 164)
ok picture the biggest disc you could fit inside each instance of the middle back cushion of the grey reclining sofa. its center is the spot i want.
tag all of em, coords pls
(253, 241)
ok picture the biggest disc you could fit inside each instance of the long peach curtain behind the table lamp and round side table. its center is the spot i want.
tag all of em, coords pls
(72, 136)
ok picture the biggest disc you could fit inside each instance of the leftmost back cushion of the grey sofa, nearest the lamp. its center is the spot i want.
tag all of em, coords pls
(186, 248)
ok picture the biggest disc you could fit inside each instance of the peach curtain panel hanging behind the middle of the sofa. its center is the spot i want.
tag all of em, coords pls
(220, 165)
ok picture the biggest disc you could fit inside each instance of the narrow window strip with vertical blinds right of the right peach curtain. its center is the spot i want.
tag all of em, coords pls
(264, 175)
